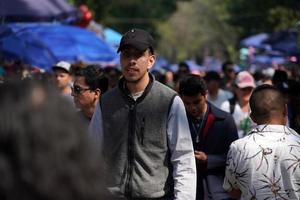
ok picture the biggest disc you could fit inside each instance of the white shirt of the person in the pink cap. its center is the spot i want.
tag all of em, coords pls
(242, 119)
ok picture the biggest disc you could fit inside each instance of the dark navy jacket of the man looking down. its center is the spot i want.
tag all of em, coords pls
(217, 132)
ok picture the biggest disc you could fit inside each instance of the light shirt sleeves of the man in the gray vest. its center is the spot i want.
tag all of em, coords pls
(180, 144)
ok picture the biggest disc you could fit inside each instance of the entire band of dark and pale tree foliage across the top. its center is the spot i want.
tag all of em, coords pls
(194, 28)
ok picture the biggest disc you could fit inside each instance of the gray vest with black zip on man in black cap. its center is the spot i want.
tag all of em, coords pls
(135, 141)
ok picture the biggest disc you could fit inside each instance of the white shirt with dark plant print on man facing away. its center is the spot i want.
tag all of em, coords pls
(265, 164)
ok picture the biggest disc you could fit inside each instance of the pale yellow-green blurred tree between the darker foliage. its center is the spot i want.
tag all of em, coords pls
(198, 28)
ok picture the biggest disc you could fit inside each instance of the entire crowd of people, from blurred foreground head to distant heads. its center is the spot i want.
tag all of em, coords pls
(93, 132)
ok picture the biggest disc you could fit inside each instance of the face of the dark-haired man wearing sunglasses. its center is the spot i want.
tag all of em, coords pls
(84, 98)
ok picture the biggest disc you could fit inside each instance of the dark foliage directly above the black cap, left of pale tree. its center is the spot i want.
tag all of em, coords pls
(123, 15)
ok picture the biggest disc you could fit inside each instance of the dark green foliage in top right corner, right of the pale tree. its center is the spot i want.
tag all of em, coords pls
(256, 16)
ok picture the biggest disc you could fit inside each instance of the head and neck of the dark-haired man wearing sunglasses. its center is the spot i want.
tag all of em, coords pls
(89, 84)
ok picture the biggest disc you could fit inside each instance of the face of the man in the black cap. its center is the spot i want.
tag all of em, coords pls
(135, 64)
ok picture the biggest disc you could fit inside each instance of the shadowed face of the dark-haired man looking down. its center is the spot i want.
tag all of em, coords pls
(195, 105)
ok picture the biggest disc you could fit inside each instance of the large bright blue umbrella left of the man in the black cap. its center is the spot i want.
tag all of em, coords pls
(43, 45)
